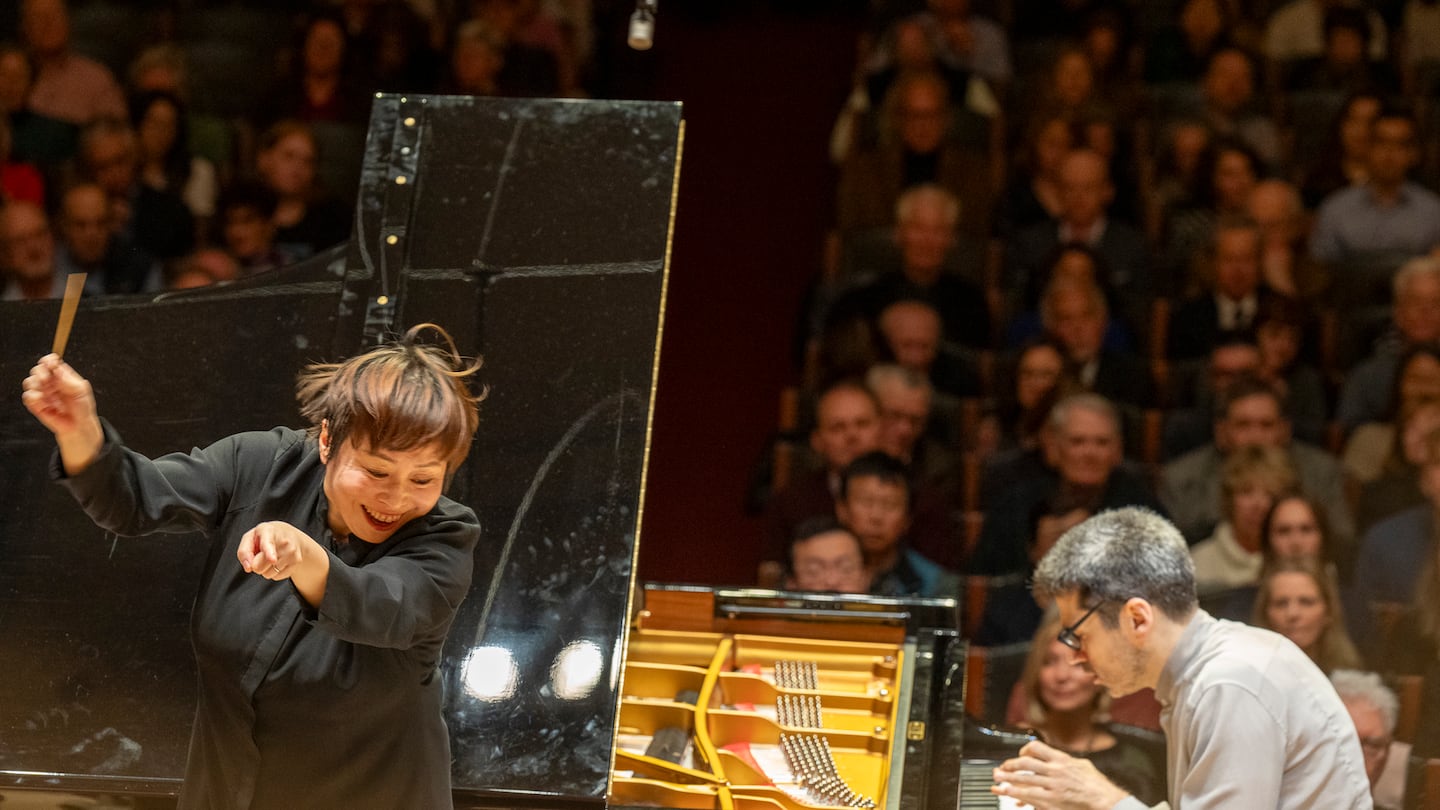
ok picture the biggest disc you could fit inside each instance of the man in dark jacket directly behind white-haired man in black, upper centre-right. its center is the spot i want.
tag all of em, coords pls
(915, 149)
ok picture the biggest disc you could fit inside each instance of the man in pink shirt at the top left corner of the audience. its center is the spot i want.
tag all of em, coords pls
(67, 86)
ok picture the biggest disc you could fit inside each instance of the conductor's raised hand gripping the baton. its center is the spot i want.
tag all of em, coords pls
(64, 403)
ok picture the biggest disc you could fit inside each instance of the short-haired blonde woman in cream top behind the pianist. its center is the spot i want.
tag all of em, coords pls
(1252, 479)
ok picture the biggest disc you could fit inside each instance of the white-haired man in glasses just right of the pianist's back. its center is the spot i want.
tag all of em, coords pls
(1376, 710)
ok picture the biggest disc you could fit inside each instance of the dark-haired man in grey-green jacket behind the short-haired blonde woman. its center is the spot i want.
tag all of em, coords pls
(1251, 413)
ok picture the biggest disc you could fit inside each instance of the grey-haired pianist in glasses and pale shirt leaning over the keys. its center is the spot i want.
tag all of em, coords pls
(1249, 721)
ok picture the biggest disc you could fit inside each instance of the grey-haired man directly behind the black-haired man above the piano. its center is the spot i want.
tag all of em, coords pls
(905, 401)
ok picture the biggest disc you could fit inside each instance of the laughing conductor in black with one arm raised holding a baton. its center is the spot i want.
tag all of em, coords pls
(335, 573)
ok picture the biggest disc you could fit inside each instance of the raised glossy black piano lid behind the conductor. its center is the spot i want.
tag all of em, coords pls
(538, 234)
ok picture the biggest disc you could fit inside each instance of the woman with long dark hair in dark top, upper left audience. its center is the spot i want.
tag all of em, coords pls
(166, 164)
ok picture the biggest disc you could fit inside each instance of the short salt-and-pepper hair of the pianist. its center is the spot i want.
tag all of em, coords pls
(1118, 556)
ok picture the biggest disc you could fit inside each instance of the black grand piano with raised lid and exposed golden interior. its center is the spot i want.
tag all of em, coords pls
(538, 233)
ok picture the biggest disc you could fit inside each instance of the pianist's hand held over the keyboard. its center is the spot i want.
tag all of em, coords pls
(1050, 779)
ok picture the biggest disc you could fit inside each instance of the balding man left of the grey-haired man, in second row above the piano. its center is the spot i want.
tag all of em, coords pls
(847, 426)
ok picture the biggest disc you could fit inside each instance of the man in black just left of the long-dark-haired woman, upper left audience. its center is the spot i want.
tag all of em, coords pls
(152, 220)
